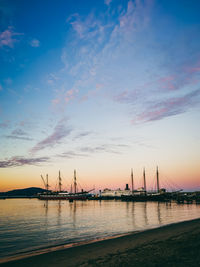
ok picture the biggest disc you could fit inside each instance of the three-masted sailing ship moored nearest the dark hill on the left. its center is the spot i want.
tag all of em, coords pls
(63, 195)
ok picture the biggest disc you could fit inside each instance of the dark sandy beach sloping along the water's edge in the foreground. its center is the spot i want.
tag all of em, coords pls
(172, 245)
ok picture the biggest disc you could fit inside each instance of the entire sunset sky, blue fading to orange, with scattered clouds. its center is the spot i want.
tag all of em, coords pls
(101, 87)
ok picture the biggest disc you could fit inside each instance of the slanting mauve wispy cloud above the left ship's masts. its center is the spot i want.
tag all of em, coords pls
(61, 130)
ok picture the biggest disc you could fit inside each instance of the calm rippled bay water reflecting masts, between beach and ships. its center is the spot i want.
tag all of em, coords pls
(28, 224)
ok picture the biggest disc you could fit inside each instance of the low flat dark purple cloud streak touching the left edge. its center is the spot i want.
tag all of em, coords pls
(21, 161)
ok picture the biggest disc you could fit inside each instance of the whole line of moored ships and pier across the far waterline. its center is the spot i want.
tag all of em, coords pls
(139, 195)
